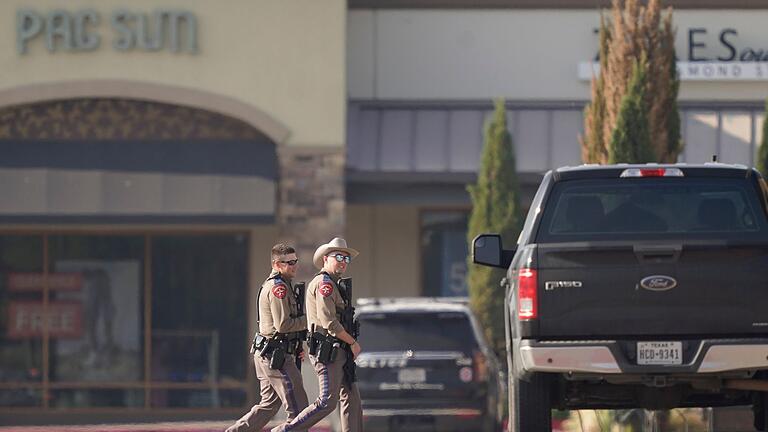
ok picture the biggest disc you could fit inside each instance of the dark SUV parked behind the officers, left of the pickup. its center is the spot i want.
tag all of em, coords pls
(425, 366)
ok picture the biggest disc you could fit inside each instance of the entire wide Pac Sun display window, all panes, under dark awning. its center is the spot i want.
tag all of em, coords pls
(123, 321)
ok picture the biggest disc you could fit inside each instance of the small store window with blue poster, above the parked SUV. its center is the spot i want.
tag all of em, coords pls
(444, 252)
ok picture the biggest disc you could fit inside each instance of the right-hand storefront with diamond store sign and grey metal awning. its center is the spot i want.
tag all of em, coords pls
(421, 79)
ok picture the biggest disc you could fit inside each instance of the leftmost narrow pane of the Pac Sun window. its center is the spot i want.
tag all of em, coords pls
(21, 332)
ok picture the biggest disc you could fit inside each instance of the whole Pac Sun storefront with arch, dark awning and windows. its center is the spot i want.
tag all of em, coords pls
(152, 155)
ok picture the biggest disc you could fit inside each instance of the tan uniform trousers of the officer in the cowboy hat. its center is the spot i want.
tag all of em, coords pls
(333, 390)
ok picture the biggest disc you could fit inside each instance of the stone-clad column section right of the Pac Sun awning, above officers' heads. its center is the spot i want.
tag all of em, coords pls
(311, 200)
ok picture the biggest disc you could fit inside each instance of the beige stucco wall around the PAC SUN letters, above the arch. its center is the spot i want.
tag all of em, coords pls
(284, 58)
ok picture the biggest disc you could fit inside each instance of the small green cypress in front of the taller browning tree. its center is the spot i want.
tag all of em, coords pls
(631, 140)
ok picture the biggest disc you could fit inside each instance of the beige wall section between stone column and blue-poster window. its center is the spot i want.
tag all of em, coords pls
(388, 239)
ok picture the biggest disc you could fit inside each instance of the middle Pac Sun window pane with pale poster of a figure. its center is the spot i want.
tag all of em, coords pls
(106, 292)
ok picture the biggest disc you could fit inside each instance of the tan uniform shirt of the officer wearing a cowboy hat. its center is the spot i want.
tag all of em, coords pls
(324, 305)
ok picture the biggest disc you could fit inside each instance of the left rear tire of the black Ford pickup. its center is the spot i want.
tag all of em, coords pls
(530, 404)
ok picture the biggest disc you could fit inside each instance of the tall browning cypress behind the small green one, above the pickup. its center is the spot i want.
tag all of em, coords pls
(634, 32)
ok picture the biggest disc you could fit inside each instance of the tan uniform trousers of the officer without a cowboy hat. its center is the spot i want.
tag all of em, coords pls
(277, 387)
